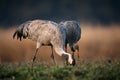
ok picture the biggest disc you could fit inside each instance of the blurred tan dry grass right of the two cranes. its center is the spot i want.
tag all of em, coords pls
(100, 43)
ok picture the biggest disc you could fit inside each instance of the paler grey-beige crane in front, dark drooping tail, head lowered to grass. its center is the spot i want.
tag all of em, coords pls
(45, 33)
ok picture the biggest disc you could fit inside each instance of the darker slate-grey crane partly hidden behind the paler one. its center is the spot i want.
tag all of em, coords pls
(73, 34)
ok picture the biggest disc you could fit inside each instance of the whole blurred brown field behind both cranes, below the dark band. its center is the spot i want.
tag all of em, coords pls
(97, 43)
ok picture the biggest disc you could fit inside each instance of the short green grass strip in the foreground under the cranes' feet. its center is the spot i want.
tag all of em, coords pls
(41, 71)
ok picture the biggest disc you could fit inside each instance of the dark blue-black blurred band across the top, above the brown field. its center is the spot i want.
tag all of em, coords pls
(14, 12)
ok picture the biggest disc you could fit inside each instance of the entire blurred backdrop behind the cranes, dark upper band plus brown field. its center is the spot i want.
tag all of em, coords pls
(99, 19)
